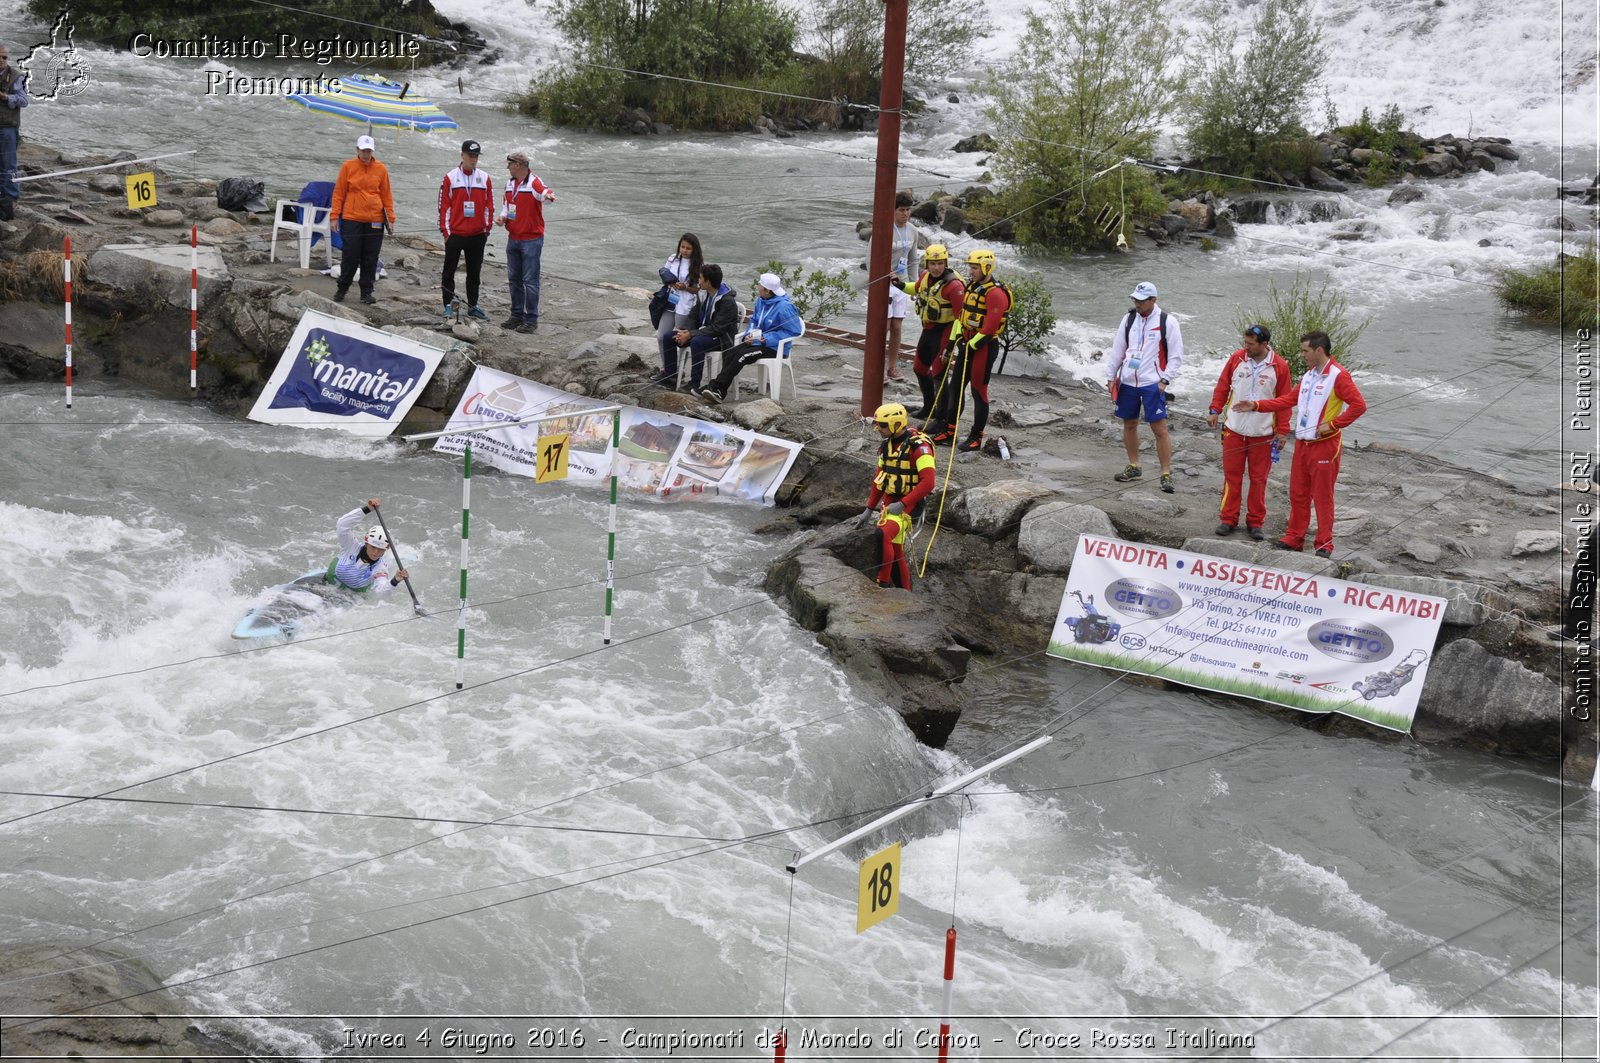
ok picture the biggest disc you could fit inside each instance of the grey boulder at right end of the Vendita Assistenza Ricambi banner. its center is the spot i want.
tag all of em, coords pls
(1484, 700)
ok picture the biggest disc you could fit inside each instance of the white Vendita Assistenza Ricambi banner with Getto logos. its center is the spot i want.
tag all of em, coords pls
(1287, 638)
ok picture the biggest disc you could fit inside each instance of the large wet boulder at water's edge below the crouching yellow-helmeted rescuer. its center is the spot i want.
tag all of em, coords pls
(900, 643)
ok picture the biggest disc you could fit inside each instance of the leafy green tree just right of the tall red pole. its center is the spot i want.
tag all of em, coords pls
(1090, 86)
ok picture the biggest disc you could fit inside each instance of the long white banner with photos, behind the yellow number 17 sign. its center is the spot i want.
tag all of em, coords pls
(662, 454)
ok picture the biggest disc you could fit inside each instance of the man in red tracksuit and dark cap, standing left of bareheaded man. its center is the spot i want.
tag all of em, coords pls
(1250, 439)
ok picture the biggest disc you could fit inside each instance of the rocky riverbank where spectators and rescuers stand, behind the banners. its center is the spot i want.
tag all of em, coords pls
(996, 572)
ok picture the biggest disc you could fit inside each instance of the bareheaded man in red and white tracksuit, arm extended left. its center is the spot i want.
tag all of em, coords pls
(1327, 404)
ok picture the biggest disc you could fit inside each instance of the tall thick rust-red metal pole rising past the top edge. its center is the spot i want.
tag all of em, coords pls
(890, 98)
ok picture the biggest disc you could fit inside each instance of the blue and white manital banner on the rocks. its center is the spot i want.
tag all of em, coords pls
(345, 375)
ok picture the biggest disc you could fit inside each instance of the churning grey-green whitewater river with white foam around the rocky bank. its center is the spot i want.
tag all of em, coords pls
(591, 836)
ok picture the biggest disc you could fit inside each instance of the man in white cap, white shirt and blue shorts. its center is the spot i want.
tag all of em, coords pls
(1145, 358)
